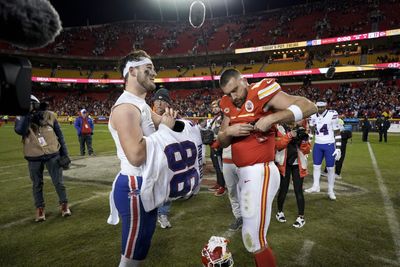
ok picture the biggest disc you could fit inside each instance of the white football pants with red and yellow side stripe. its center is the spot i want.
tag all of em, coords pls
(258, 185)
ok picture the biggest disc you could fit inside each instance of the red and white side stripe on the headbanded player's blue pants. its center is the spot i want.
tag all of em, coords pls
(135, 219)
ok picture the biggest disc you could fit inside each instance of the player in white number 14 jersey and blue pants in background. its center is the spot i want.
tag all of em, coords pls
(325, 127)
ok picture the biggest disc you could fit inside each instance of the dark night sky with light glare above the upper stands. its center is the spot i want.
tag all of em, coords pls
(94, 12)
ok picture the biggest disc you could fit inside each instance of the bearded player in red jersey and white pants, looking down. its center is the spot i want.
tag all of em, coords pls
(251, 112)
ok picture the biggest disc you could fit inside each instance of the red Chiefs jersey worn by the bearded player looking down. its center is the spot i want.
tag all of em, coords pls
(249, 150)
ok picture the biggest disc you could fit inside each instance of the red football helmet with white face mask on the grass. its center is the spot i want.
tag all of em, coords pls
(216, 254)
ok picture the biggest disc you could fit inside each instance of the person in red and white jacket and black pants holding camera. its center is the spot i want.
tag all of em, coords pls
(292, 145)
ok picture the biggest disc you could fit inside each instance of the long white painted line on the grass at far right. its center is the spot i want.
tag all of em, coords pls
(388, 204)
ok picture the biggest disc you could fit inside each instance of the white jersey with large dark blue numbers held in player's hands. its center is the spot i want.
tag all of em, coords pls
(173, 167)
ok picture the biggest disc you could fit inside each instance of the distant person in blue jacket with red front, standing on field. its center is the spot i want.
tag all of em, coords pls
(84, 127)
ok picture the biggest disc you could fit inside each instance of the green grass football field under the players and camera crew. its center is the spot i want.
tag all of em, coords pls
(361, 228)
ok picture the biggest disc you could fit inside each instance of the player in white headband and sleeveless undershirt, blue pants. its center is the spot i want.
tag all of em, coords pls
(131, 119)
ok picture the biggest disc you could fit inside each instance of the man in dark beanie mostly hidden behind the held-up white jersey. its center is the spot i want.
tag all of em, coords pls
(162, 101)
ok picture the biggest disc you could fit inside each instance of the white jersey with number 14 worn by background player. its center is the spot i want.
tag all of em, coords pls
(325, 124)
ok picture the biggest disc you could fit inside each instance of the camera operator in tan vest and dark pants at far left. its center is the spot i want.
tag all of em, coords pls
(44, 144)
